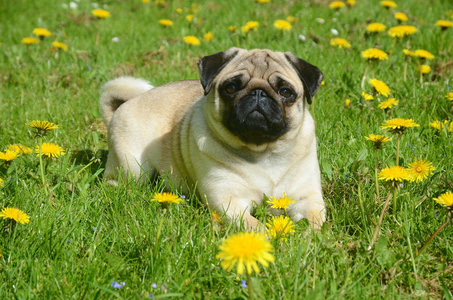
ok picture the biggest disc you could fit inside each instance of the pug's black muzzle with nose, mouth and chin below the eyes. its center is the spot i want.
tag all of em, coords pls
(256, 118)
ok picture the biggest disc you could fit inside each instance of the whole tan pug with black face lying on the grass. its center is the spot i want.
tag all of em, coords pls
(240, 132)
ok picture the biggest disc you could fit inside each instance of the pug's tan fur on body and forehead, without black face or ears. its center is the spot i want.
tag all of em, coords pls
(175, 130)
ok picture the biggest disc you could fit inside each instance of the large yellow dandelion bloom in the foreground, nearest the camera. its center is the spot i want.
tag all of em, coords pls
(246, 250)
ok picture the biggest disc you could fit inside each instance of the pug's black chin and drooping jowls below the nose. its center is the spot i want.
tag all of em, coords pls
(256, 127)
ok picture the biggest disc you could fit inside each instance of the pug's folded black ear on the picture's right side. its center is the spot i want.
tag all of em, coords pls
(310, 75)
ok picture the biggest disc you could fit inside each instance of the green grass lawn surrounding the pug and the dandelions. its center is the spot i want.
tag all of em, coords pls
(86, 234)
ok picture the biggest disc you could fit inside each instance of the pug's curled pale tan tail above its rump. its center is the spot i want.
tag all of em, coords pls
(117, 91)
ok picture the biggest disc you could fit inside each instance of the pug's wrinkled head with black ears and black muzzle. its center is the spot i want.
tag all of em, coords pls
(258, 94)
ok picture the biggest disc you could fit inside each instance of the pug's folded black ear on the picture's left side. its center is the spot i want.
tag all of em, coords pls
(210, 66)
